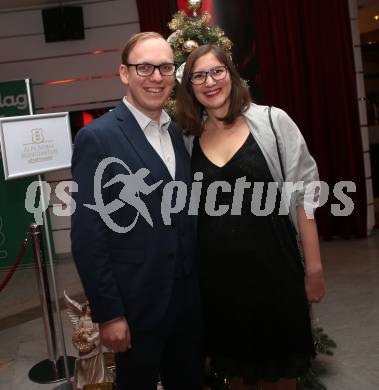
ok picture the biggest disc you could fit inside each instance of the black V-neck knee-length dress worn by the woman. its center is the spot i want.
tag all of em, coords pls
(252, 280)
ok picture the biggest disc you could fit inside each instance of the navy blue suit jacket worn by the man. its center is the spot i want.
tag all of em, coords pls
(128, 274)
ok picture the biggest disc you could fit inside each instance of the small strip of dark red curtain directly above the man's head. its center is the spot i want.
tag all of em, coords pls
(154, 15)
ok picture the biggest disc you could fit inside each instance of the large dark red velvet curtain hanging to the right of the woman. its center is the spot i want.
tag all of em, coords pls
(307, 68)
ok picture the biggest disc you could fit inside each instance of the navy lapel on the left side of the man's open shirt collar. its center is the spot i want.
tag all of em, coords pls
(133, 132)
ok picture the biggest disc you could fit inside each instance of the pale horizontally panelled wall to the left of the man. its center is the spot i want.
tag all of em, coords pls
(25, 54)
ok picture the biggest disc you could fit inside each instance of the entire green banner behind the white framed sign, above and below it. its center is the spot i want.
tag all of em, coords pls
(14, 219)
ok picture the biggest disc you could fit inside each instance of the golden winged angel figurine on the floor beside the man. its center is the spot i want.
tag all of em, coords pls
(90, 366)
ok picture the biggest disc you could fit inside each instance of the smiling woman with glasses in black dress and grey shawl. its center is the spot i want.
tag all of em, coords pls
(255, 287)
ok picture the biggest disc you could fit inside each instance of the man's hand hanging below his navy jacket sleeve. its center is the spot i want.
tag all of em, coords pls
(115, 335)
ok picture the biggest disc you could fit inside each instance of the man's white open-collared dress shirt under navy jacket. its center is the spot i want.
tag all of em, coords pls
(157, 134)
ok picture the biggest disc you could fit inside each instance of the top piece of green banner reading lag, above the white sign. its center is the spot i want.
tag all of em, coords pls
(14, 98)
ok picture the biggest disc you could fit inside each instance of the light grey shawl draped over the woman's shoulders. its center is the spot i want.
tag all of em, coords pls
(298, 164)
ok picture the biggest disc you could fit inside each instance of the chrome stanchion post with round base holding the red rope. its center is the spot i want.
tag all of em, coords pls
(49, 370)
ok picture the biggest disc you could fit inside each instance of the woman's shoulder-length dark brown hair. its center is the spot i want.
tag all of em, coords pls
(189, 112)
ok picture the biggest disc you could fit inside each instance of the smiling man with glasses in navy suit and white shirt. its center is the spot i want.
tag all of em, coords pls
(139, 272)
